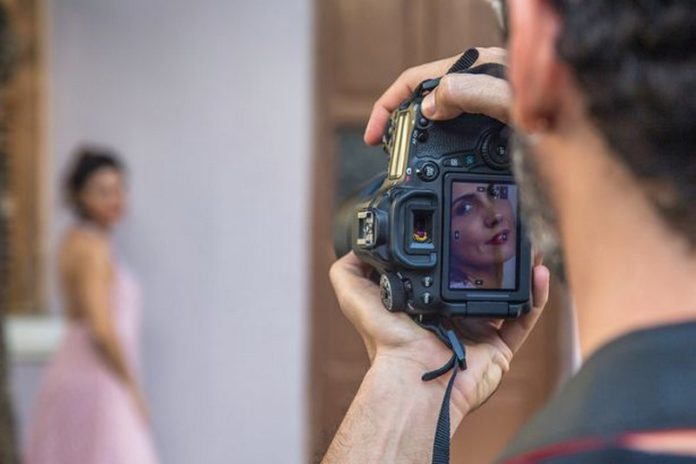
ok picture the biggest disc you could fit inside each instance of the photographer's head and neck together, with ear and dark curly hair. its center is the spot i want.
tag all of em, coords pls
(607, 90)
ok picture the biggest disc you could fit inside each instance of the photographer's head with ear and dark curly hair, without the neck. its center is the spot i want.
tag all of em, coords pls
(634, 66)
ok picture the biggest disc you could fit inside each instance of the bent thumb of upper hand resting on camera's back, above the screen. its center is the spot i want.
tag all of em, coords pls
(468, 93)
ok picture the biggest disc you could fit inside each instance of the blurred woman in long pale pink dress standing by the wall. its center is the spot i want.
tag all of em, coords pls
(90, 408)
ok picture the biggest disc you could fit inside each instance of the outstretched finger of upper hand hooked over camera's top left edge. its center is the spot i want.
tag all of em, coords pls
(400, 90)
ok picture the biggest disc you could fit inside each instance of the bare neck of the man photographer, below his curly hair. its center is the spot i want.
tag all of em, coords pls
(627, 269)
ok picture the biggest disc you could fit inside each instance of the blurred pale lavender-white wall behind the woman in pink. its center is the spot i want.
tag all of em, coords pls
(209, 103)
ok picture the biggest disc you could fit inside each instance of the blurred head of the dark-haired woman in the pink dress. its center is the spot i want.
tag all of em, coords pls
(95, 187)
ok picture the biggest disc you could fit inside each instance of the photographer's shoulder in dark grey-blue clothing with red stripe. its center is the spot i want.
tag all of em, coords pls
(639, 383)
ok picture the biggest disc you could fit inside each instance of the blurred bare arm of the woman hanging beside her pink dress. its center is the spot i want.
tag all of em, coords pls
(94, 286)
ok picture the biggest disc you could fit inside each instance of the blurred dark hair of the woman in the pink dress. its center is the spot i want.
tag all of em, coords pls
(88, 160)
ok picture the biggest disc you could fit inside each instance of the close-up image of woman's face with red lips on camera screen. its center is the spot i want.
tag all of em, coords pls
(483, 236)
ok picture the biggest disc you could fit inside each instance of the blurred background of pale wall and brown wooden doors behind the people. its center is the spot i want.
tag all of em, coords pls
(241, 124)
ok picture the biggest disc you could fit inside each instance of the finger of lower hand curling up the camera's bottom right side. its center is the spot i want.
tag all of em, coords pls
(515, 331)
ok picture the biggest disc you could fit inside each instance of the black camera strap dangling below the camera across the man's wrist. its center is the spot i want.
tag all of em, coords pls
(441, 444)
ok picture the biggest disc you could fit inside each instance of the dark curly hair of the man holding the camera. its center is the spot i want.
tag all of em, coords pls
(635, 62)
